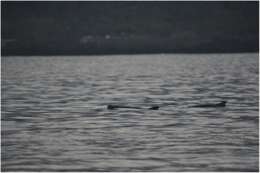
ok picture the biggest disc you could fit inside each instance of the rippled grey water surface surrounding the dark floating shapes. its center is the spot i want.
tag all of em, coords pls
(54, 115)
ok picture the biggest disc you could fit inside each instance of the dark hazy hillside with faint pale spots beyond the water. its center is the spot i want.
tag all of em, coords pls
(128, 27)
